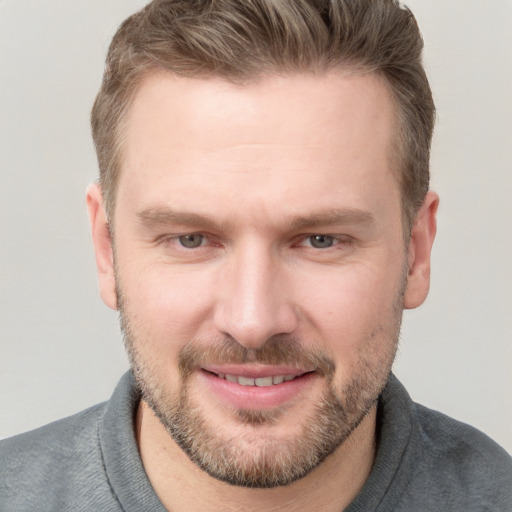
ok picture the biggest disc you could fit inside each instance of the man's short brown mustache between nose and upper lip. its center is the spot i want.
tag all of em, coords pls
(278, 350)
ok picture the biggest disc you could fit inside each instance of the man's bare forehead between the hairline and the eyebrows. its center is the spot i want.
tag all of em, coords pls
(283, 138)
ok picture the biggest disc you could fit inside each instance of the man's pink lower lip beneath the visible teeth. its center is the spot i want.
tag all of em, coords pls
(256, 397)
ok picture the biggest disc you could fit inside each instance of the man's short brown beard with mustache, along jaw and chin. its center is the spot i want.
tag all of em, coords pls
(256, 458)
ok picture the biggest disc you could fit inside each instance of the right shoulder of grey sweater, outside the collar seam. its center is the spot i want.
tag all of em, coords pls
(462, 462)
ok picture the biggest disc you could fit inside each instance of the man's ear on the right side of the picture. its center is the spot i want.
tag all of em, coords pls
(419, 251)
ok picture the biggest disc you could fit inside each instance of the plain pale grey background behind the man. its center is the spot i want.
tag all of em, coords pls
(60, 347)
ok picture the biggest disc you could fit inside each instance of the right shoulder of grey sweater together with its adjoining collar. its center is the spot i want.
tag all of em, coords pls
(428, 461)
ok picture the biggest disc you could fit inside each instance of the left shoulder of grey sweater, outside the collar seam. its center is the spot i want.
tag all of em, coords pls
(39, 468)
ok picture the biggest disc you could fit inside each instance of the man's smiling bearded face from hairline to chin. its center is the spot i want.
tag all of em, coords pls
(260, 266)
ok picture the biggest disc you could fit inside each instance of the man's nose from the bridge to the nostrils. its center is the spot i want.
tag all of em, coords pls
(254, 299)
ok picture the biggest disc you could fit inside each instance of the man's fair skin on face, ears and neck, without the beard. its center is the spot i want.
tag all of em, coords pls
(257, 170)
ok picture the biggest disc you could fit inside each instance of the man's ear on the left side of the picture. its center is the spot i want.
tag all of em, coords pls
(102, 241)
